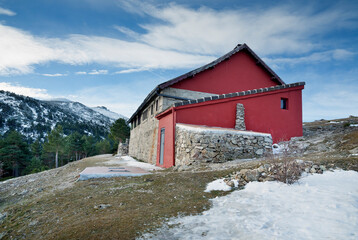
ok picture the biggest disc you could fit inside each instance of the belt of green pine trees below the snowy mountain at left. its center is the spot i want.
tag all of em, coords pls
(18, 156)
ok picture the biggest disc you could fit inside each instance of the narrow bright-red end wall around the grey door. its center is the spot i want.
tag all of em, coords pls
(167, 121)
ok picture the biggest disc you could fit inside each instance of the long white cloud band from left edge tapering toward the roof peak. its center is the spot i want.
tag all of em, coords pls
(20, 51)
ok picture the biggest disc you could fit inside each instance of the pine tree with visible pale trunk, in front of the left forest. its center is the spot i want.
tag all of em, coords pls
(55, 142)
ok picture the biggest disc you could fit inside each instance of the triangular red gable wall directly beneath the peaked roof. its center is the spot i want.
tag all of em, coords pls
(239, 73)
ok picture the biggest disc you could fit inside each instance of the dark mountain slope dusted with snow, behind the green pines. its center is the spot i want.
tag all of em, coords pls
(34, 118)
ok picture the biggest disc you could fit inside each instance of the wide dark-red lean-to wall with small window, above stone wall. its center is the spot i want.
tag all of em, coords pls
(263, 113)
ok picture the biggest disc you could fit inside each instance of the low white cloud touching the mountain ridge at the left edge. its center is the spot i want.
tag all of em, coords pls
(26, 91)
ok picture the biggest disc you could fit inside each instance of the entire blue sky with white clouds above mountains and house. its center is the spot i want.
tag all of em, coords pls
(114, 52)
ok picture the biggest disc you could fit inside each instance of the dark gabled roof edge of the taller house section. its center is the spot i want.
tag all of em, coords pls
(238, 48)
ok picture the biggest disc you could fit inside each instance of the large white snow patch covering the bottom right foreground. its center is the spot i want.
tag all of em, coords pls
(320, 206)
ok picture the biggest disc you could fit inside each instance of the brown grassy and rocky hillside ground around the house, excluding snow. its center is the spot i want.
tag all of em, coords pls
(54, 205)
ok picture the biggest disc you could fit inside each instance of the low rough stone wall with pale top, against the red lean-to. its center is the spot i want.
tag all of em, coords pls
(198, 144)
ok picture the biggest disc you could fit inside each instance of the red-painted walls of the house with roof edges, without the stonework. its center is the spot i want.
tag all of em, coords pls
(240, 76)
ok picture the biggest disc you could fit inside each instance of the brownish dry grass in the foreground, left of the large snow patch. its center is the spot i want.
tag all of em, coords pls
(138, 204)
